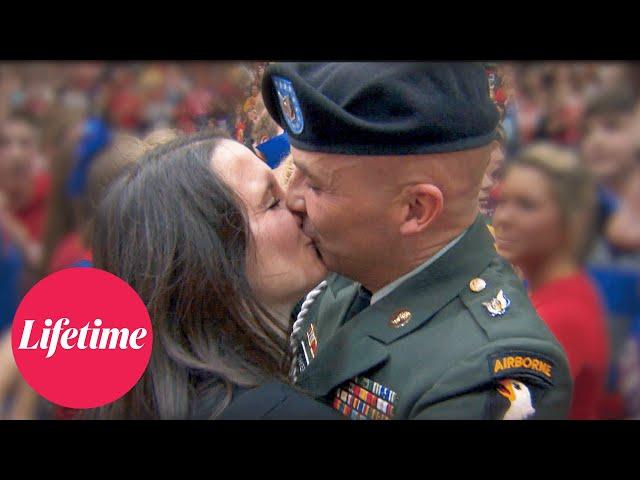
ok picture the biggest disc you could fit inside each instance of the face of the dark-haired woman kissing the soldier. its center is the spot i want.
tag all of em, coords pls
(285, 264)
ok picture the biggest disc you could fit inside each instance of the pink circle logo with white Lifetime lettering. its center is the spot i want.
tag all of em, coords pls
(81, 338)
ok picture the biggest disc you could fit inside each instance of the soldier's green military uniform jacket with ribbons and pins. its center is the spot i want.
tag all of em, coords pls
(446, 358)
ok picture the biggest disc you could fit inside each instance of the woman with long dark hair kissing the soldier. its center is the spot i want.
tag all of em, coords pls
(199, 229)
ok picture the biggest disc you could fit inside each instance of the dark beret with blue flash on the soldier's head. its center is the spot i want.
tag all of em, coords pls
(381, 108)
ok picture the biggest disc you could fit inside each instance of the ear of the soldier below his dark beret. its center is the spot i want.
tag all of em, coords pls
(422, 204)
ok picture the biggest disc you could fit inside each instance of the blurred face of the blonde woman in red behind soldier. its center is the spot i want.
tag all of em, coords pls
(527, 222)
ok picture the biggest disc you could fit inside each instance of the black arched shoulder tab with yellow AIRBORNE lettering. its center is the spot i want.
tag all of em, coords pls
(515, 363)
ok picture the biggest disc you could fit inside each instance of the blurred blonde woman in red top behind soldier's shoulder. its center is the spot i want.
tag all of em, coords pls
(543, 211)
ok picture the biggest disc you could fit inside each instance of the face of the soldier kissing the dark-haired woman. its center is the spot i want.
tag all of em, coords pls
(346, 207)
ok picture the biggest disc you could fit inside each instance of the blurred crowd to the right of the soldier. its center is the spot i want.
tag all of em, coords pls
(564, 203)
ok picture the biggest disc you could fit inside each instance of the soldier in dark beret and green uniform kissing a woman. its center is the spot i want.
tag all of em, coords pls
(421, 319)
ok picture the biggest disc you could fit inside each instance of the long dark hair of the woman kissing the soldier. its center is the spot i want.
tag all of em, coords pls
(179, 236)
